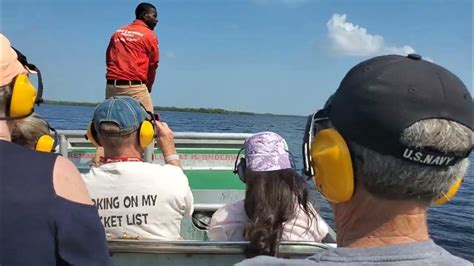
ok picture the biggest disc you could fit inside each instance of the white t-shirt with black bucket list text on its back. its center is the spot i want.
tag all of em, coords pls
(138, 200)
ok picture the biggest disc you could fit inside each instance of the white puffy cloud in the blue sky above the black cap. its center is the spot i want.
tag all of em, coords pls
(354, 40)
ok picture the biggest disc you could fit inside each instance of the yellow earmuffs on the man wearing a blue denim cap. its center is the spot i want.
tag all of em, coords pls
(146, 131)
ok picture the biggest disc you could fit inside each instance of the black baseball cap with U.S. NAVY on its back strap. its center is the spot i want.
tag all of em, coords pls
(381, 97)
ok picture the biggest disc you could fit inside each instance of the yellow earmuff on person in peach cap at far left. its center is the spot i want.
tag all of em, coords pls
(23, 95)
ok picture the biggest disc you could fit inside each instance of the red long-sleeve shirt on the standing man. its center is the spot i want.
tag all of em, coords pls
(133, 54)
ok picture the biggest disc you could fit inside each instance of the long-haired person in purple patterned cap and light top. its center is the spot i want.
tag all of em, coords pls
(276, 205)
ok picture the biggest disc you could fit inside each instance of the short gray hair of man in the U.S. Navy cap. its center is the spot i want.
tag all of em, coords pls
(392, 178)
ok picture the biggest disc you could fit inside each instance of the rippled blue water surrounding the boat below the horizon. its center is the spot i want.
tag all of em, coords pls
(451, 225)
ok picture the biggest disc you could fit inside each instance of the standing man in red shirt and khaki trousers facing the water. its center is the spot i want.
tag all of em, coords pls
(132, 57)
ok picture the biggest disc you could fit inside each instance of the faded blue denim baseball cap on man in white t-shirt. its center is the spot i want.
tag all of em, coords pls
(126, 112)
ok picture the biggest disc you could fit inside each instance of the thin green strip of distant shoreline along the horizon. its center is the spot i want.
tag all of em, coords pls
(166, 108)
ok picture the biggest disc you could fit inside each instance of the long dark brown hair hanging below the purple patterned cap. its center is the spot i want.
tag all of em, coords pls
(271, 199)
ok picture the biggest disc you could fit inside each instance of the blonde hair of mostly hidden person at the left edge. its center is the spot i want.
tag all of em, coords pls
(28, 130)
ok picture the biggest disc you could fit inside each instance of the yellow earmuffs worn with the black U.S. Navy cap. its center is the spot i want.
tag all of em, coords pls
(327, 159)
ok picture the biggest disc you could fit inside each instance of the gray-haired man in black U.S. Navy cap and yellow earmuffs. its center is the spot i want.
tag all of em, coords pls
(393, 140)
